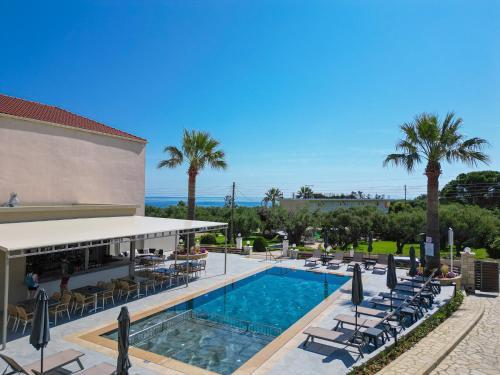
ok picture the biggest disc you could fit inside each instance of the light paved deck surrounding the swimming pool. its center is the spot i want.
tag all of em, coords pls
(291, 358)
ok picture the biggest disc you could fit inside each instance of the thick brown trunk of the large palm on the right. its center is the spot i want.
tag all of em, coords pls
(432, 172)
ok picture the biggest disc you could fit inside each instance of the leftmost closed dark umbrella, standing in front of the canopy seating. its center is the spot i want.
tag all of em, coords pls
(40, 332)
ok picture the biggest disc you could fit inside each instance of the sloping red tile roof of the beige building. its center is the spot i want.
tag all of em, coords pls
(47, 113)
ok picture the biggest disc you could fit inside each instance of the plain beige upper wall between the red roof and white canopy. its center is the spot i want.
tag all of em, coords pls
(49, 165)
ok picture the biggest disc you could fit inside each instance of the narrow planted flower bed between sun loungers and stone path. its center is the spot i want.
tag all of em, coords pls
(406, 342)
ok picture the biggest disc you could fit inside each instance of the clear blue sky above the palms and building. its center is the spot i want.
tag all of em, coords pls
(298, 92)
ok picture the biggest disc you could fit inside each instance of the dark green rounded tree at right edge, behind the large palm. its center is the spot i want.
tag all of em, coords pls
(480, 188)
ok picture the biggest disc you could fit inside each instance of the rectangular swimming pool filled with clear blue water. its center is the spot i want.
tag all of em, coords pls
(221, 330)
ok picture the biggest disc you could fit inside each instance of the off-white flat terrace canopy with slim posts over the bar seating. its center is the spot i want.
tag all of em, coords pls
(42, 237)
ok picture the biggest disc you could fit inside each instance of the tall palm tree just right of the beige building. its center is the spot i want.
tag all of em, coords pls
(199, 150)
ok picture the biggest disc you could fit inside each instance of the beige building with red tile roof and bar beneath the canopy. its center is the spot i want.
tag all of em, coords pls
(65, 166)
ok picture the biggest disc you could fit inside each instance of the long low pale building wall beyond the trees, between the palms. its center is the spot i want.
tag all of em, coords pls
(327, 205)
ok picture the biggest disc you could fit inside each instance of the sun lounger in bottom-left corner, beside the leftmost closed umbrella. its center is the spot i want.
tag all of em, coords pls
(50, 363)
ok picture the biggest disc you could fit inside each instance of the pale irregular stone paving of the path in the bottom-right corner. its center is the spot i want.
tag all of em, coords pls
(479, 352)
